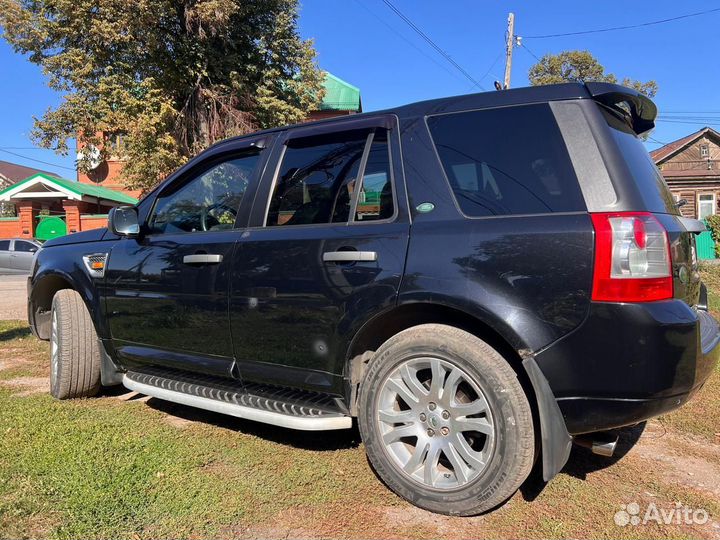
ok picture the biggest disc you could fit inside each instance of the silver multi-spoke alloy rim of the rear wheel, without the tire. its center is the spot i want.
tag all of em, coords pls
(435, 422)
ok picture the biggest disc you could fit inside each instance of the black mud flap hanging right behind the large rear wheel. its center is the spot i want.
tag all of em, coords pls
(555, 440)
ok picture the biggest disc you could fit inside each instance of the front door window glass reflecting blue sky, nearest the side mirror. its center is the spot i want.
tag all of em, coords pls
(209, 201)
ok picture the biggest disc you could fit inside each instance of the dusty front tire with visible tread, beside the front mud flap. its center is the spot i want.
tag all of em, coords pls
(74, 348)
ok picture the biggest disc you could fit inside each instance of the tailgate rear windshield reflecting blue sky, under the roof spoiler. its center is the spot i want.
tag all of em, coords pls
(651, 184)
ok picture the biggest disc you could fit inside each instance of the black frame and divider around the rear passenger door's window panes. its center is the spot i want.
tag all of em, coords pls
(372, 124)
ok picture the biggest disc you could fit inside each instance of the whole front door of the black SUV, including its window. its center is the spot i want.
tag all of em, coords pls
(167, 290)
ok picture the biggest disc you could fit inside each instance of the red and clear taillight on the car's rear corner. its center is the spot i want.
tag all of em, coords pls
(632, 258)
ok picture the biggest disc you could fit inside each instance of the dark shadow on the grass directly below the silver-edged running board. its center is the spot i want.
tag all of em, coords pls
(341, 439)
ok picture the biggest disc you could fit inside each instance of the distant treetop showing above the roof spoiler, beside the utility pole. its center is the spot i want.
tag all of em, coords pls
(580, 66)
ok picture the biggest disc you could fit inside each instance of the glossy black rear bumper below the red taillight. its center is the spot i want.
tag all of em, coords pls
(630, 362)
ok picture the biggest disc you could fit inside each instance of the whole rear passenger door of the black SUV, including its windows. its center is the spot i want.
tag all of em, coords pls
(325, 249)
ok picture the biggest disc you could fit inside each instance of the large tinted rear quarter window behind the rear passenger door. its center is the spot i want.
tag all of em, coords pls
(506, 161)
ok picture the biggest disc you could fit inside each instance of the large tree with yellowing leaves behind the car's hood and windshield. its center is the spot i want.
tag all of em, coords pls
(173, 76)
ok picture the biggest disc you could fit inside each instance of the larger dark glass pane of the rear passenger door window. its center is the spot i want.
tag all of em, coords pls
(316, 179)
